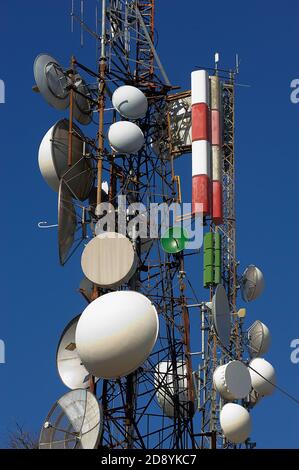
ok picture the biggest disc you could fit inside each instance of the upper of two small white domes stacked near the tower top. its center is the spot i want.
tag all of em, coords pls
(130, 102)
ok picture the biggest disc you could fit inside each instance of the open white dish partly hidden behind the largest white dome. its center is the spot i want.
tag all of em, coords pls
(70, 368)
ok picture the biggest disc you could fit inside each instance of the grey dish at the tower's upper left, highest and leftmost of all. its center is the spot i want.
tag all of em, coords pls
(51, 81)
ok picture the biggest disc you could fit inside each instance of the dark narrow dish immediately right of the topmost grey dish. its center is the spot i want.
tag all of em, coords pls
(82, 104)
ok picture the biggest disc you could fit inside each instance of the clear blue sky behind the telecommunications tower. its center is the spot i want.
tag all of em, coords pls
(39, 297)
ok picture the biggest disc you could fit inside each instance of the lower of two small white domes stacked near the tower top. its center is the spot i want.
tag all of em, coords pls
(125, 137)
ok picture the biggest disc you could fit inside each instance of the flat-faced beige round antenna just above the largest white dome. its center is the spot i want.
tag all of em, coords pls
(109, 260)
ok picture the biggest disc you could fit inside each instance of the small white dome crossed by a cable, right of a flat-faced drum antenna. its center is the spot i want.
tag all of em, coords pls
(263, 384)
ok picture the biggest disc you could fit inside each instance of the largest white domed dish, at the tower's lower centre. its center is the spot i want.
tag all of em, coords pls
(116, 333)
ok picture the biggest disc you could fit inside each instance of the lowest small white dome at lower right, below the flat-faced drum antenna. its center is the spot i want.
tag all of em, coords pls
(235, 422)
